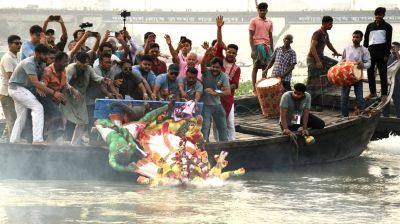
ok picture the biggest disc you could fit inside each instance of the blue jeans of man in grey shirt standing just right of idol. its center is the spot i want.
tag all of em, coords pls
(217, 113)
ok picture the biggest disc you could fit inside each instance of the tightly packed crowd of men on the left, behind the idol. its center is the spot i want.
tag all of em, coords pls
(55, 84)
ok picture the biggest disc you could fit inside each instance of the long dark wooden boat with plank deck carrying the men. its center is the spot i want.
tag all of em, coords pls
(259, 145)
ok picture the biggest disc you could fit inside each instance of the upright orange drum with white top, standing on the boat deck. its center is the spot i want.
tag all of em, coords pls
(269, 92)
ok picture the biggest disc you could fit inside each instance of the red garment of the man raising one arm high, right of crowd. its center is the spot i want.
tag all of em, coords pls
(233, 76)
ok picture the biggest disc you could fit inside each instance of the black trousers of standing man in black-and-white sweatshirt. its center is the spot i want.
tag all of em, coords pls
(382, 68)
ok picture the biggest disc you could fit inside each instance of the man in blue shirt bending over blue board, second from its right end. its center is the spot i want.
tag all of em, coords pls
(166, 84)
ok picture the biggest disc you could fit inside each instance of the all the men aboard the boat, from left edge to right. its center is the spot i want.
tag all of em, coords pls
(59, 82)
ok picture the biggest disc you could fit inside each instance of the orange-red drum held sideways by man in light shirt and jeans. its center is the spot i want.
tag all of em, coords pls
(344, 74)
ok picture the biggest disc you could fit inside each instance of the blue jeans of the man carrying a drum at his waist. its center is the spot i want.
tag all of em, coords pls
(344, 98)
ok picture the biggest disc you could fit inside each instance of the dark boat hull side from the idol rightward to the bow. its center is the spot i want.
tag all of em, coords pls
(338, 142)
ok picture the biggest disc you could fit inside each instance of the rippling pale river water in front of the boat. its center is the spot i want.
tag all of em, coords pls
(361, 190)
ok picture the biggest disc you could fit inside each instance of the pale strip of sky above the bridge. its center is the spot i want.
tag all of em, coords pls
(205, 5)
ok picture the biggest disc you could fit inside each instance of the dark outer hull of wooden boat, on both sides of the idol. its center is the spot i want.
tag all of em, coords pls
(337, 142)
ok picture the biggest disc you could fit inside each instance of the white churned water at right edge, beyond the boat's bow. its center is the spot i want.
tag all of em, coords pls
(388, 145)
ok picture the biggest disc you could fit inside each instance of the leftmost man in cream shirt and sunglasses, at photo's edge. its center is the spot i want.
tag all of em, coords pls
(7, 66)
